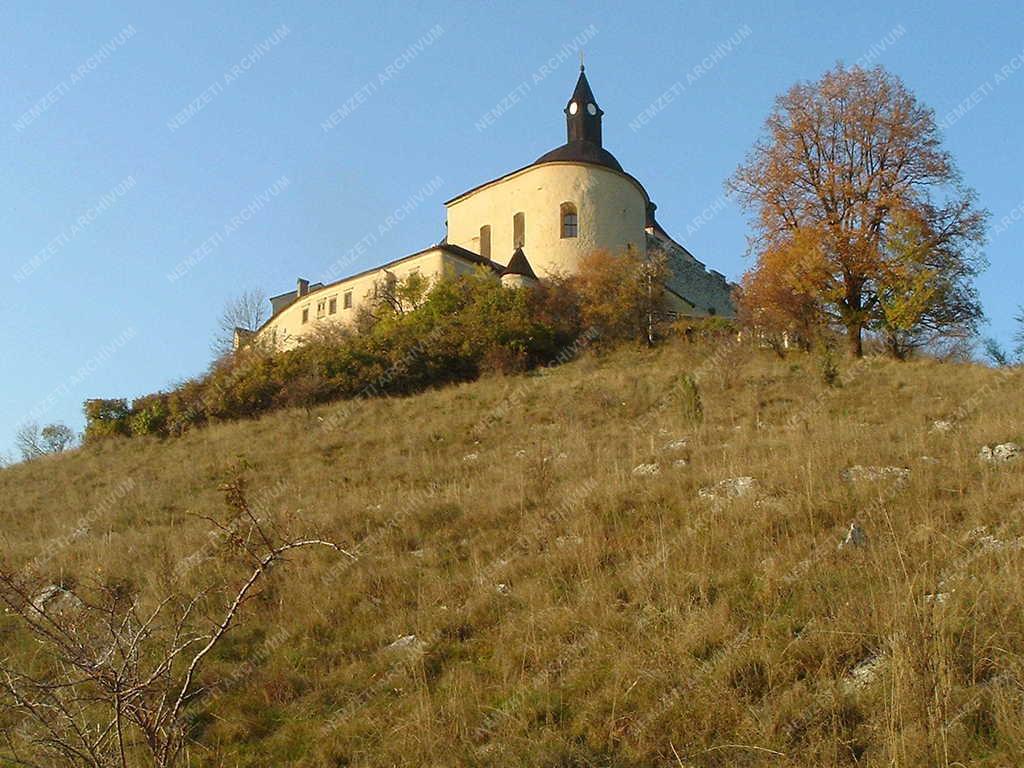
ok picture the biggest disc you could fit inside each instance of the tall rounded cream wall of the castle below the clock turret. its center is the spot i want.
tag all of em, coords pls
(612, 211)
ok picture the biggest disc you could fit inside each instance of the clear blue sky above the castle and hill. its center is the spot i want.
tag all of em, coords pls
(127, 221)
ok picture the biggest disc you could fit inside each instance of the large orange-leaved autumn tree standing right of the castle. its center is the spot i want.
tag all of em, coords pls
(852, 184)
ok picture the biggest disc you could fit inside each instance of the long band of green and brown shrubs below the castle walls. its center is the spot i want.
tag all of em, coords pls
(456, 331)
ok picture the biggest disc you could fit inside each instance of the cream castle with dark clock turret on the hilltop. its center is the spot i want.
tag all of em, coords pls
(535, 222)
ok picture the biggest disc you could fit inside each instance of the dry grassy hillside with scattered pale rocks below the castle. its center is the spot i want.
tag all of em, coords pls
(572, 608)
